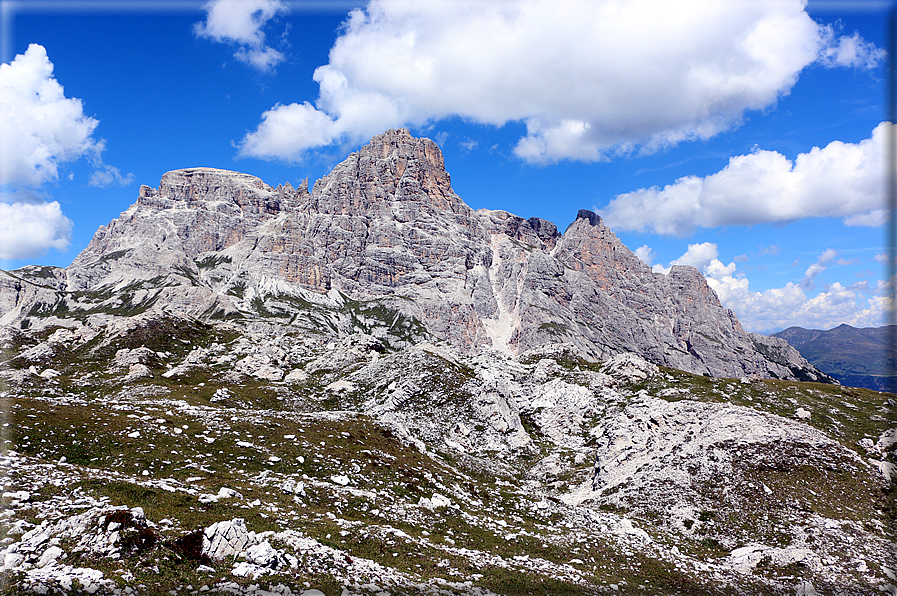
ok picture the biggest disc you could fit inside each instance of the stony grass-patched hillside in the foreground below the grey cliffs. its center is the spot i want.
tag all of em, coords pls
(157, 455)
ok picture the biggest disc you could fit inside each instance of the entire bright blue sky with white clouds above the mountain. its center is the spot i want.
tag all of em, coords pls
(744, 138)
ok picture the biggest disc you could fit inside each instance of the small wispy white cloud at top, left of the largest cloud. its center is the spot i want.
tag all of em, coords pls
(241, 23)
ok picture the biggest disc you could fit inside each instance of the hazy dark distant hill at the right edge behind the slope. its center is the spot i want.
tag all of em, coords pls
(856, 357)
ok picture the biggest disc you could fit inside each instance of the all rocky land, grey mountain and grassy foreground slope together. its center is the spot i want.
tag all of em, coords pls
(371, 389)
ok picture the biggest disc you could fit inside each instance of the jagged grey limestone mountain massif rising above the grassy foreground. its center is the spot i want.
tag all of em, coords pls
(385, 228)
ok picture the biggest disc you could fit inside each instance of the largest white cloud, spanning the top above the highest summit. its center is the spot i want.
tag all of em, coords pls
(589, 79)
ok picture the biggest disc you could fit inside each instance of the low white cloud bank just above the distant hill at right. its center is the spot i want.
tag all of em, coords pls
(779, 308)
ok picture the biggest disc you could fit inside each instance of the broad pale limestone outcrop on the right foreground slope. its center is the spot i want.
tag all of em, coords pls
(684, 444)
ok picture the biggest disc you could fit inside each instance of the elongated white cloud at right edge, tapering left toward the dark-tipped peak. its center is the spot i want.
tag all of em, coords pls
(839, 180)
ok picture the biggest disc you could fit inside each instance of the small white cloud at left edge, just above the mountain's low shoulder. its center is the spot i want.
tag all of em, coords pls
(28, 229)
